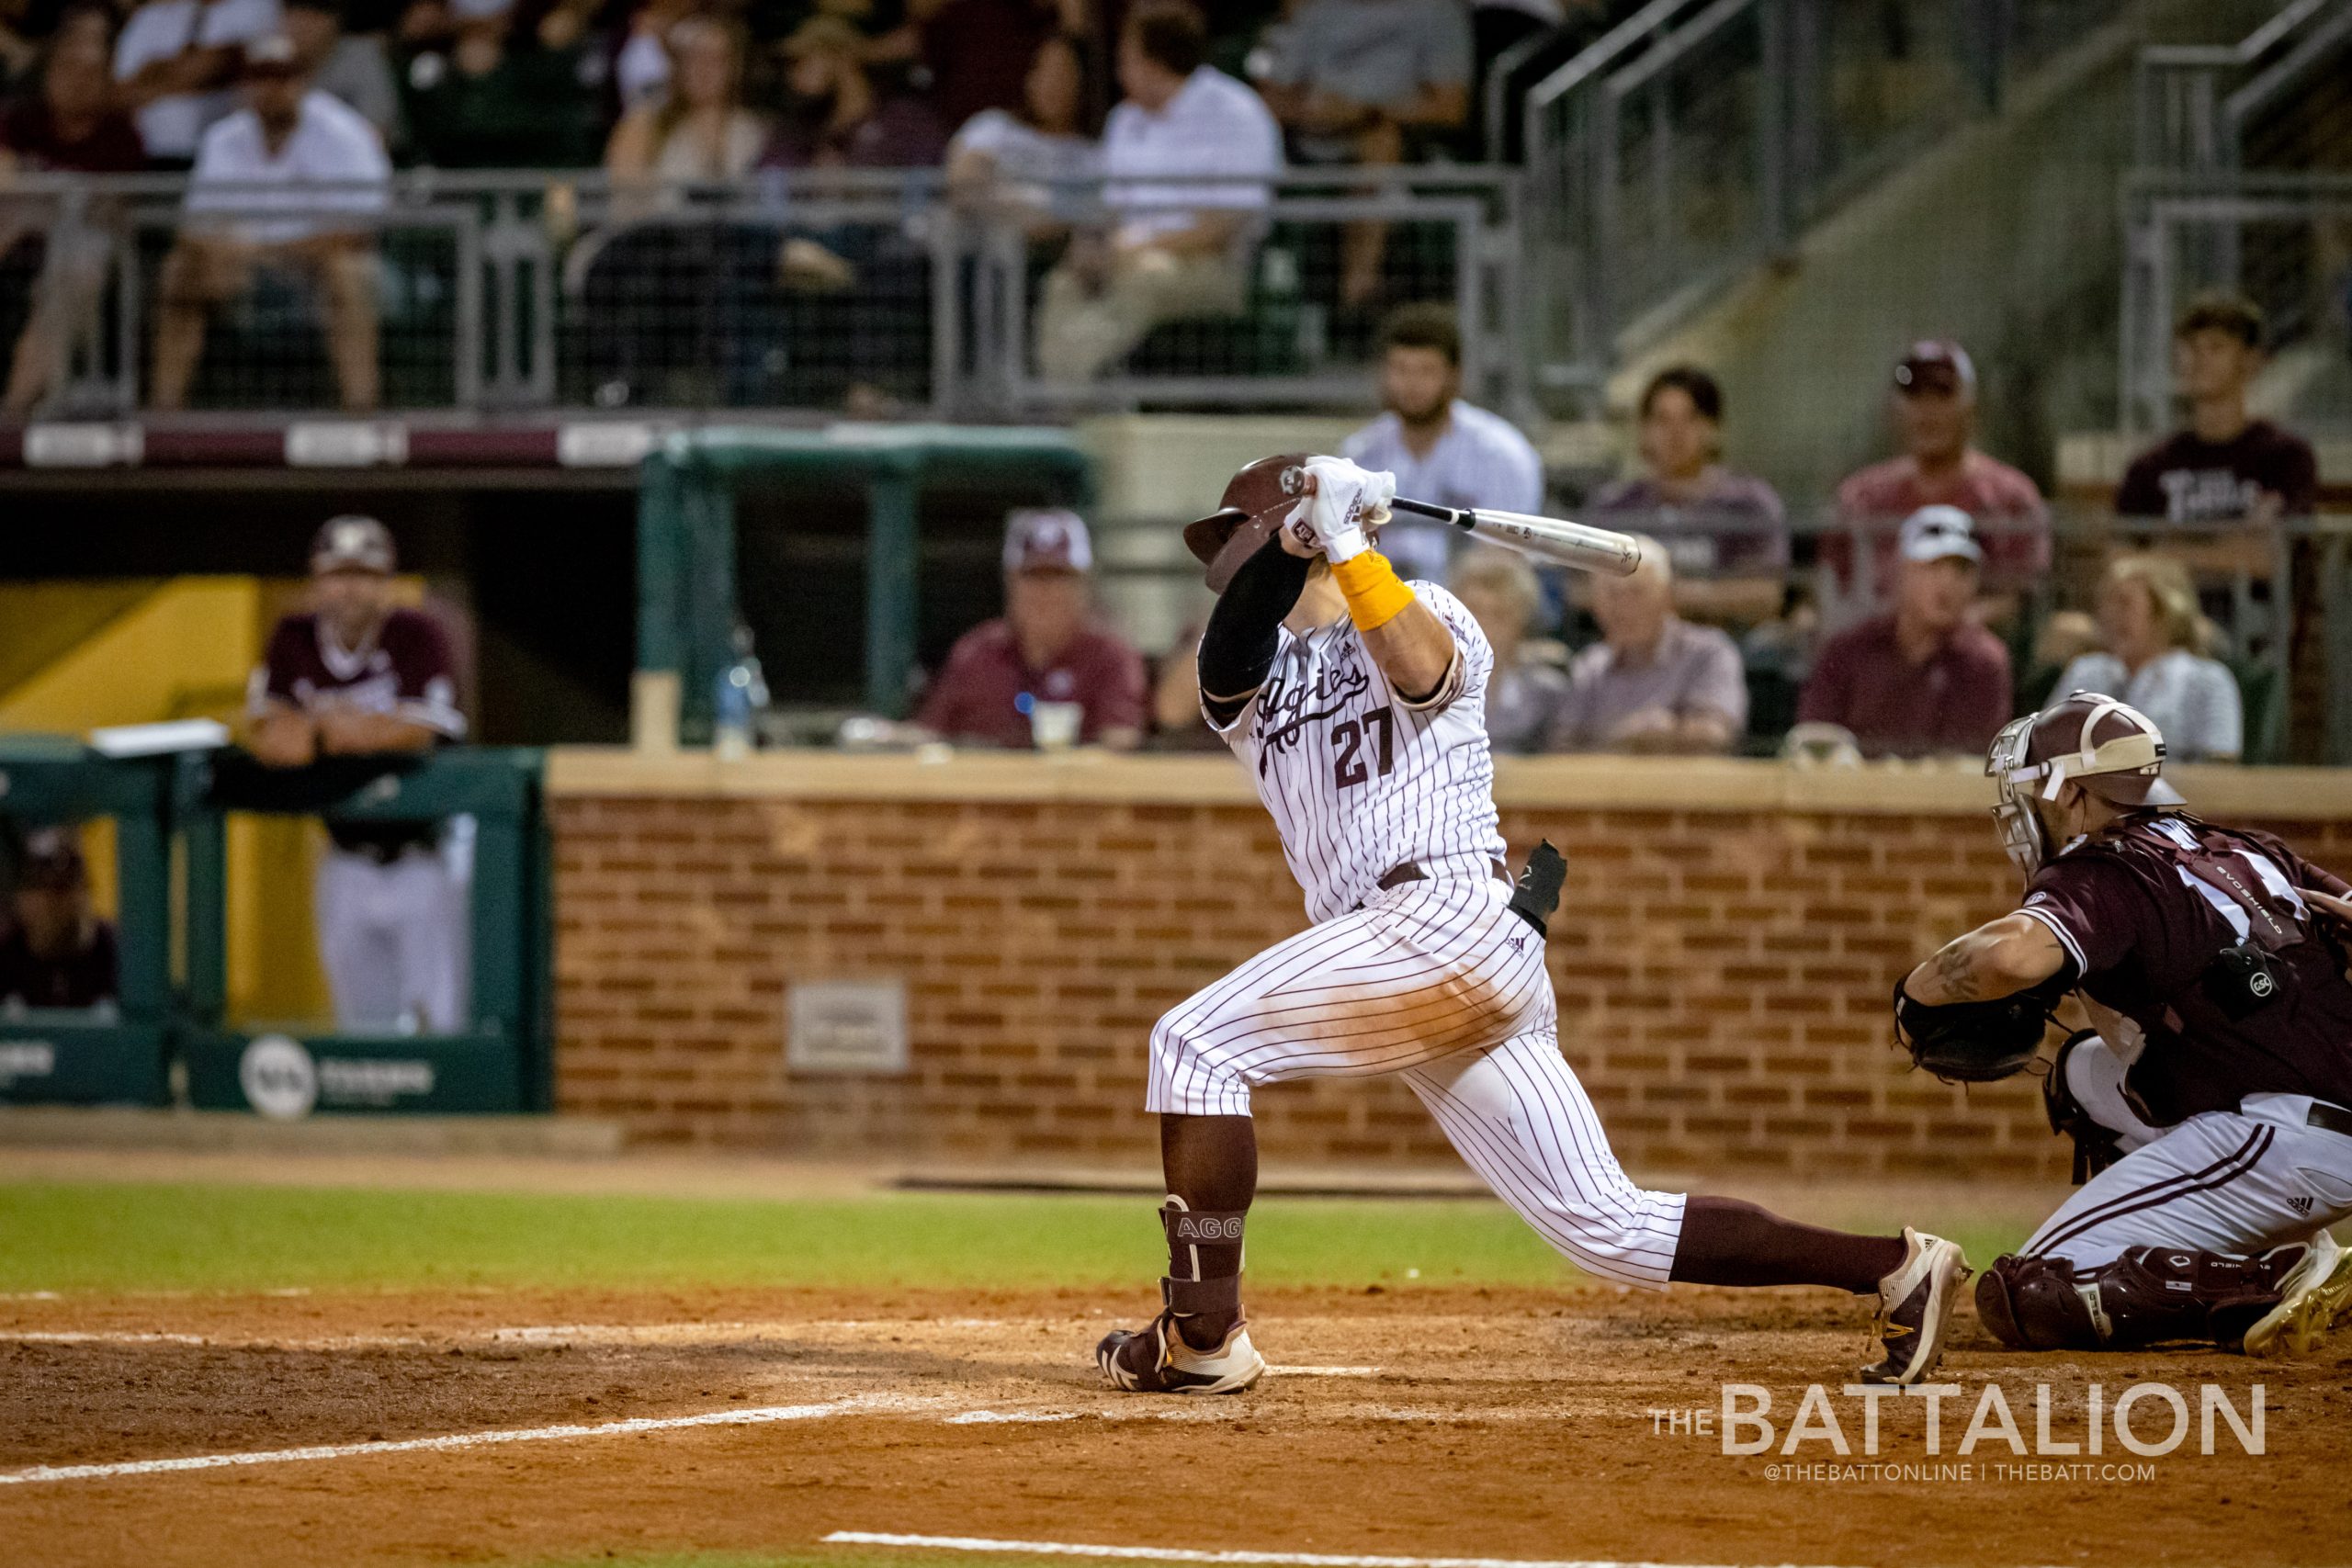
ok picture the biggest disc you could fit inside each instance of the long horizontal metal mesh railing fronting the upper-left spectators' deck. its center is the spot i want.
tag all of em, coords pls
(813, 290)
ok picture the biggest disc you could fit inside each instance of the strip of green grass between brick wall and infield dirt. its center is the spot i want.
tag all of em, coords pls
(225, 1238)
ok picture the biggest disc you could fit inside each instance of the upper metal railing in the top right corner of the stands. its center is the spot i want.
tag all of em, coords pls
(2193, 105)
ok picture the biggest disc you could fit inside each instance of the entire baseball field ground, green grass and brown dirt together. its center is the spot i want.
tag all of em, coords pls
(436, 1362)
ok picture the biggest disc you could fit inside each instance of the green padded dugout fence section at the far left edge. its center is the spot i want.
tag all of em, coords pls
(119, 1052)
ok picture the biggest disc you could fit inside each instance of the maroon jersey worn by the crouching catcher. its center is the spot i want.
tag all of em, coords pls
(2146, 906)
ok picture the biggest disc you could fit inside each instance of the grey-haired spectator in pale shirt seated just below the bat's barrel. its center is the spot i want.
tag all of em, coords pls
(1655, 683)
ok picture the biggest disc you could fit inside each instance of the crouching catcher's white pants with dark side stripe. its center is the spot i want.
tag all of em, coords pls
(2224, 1181)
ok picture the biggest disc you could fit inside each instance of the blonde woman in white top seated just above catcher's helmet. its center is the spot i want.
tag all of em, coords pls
(2156, 662)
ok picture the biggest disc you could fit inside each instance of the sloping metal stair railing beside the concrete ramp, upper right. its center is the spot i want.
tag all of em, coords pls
(1702, 135)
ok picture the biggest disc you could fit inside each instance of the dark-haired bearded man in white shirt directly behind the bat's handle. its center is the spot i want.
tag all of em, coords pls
(1441, 448)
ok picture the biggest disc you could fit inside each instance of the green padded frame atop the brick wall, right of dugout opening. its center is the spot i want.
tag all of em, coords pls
(688, 547)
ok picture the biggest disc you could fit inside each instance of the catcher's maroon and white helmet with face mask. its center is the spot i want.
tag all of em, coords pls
(2094, 742)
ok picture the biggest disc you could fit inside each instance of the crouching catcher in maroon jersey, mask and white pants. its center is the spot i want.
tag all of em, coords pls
(2212, 1106)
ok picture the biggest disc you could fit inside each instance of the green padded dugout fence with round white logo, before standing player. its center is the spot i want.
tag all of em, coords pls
(500, 1061)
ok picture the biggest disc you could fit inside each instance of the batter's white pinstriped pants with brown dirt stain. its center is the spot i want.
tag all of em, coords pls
(1445, 986)
